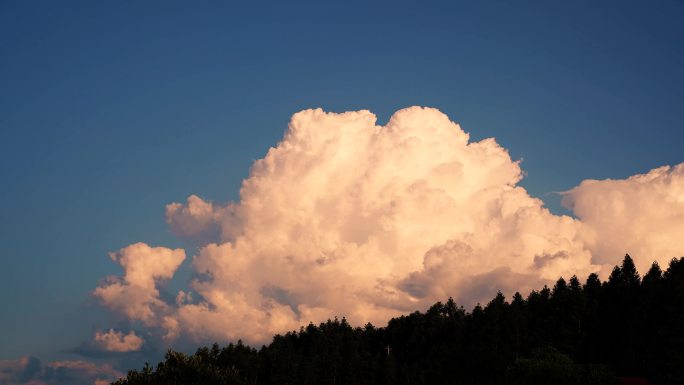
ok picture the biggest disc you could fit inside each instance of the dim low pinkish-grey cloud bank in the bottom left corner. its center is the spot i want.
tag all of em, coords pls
(29, 371)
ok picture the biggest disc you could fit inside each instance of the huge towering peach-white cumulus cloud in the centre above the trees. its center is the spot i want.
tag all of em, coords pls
(345, 217)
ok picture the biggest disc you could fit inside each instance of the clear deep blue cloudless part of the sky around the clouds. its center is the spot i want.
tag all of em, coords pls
(110, 110)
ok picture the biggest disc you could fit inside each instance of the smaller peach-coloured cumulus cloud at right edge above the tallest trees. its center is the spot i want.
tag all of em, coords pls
(642, 215)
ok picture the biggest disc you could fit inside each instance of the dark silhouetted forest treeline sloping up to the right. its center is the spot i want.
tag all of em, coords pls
(573, 333)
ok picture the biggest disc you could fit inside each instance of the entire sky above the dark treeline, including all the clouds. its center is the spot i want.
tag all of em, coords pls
(128, 128)
